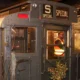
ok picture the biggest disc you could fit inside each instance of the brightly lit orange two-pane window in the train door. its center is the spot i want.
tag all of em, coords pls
(55, 45)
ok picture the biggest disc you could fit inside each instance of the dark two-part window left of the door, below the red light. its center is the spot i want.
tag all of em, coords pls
(23, 39)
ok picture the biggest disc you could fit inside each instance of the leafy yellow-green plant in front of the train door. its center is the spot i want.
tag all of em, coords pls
(58, 72)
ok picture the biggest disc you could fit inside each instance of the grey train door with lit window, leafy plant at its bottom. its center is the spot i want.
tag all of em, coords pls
(56, 52)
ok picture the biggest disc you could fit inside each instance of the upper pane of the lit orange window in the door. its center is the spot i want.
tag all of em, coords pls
(54, 37)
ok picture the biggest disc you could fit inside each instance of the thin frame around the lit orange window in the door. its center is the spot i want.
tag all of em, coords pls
(65, 44)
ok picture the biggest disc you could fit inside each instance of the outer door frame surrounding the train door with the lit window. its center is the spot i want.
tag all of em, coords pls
(63, 28)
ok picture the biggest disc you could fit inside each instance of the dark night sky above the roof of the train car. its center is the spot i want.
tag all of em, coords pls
(6, 3)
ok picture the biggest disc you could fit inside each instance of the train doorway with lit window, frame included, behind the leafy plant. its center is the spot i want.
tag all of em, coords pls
(56, 48)
